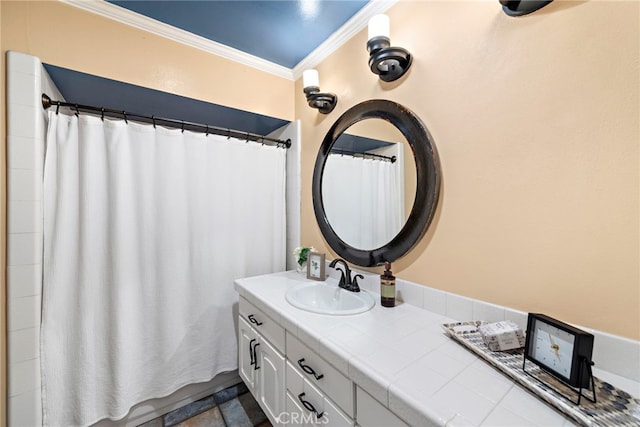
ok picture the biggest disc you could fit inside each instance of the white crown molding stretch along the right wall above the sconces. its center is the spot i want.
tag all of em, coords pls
(359, 21)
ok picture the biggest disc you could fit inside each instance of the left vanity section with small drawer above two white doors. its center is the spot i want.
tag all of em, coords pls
(261, 364)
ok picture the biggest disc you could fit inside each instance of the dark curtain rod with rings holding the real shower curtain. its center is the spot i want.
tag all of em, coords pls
(47, 102)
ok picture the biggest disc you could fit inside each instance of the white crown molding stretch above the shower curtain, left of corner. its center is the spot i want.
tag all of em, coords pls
(133, 19)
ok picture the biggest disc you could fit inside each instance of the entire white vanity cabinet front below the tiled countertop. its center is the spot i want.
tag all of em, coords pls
(293, 384)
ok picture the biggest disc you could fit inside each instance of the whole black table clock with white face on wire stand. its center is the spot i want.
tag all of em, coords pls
(561, 350)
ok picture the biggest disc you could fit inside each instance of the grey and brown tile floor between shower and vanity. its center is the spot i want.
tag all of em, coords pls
(232, 407)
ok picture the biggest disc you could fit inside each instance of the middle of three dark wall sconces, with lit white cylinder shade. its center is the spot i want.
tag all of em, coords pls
(389, 63)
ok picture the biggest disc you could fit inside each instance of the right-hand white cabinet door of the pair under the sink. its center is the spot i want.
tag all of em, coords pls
(270, 370)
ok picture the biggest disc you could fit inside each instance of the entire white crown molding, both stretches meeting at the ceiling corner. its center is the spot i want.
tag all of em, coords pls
(136, 20)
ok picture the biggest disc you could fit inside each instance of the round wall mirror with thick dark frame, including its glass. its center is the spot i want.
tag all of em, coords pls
(376, 183)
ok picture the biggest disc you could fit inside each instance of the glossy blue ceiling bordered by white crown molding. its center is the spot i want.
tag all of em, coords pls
(280, 31)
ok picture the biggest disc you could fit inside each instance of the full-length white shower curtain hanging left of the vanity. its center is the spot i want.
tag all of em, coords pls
(145, 230)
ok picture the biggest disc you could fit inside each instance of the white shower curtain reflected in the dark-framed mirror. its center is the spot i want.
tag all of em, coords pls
(363, 199)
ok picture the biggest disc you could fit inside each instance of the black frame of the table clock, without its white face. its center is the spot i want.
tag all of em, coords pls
(580, 376)
